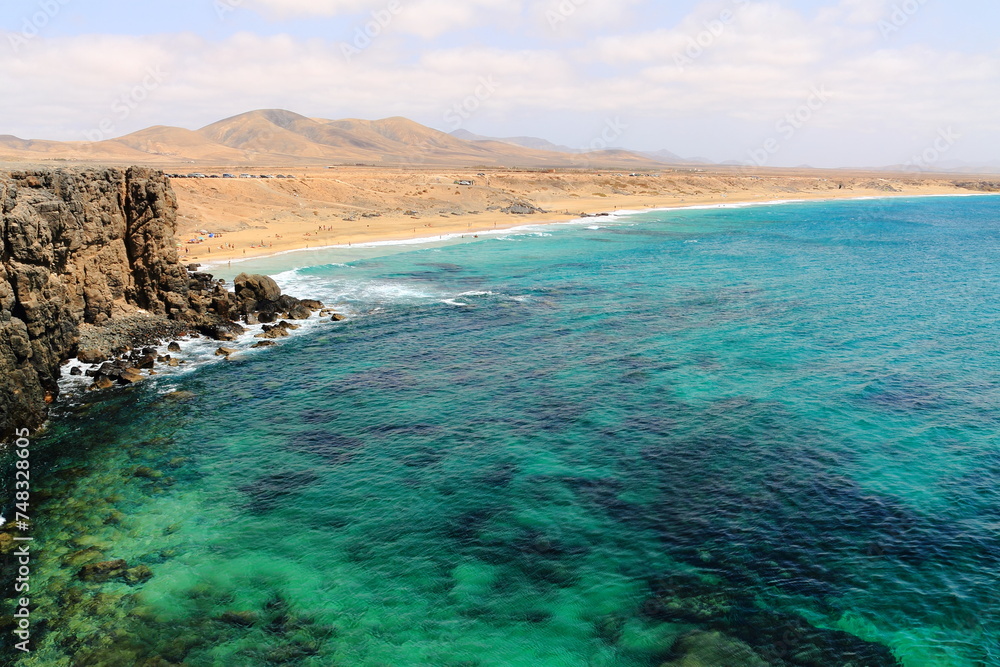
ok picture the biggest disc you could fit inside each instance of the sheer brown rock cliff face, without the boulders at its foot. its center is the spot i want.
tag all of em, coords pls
(79, 246)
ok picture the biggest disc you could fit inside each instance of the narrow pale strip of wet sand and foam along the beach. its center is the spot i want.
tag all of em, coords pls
(587, 216)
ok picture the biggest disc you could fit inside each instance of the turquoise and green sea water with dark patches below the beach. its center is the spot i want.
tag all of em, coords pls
(565, 447)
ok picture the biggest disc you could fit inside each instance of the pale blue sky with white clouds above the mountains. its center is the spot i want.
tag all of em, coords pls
(826, 83)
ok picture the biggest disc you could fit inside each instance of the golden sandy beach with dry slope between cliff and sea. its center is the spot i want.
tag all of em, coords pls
(224, 219)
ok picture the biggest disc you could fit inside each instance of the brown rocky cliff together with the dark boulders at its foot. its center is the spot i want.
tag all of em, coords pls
(89, 265)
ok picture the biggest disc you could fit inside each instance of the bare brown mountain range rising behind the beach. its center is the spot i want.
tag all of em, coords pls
(276, 137)
